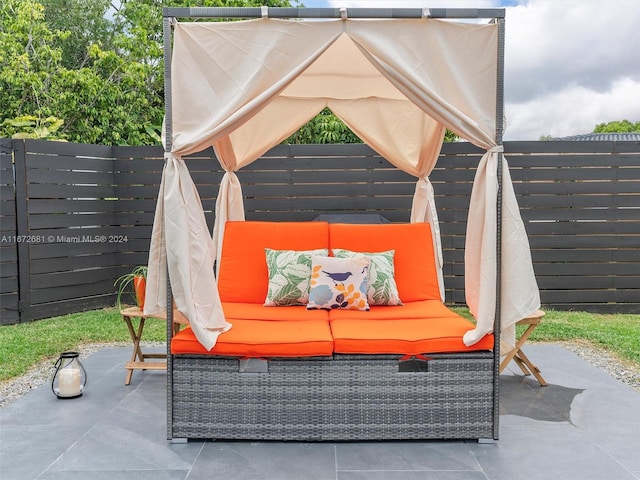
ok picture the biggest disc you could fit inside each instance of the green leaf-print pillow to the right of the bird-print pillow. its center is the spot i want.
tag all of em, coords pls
(382, 288)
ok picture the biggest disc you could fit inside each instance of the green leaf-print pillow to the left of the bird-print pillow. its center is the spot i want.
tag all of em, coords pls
(289, 275)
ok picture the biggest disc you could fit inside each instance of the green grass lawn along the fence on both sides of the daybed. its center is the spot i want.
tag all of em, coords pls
(24, 345)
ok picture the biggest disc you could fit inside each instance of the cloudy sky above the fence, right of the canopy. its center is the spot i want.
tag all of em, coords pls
(569, 64)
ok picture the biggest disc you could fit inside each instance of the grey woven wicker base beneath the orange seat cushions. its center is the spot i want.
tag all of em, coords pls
(344, 397)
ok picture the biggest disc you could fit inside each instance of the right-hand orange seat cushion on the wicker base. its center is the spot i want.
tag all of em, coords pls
(433, 333)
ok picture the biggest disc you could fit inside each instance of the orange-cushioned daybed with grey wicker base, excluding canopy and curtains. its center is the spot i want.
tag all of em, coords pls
(292, 373)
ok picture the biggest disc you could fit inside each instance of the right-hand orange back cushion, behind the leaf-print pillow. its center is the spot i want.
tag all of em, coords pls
(414, 260)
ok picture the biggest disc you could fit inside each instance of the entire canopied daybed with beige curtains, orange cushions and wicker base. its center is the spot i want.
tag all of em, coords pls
(248, 370)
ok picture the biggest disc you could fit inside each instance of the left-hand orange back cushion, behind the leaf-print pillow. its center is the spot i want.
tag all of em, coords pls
(244, 276)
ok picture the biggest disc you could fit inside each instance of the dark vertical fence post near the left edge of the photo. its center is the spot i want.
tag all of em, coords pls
(22, 231)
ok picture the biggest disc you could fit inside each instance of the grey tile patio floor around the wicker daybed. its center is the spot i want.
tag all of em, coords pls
(584, 425)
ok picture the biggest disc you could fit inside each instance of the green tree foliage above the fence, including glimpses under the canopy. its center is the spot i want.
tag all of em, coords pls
(91, 71)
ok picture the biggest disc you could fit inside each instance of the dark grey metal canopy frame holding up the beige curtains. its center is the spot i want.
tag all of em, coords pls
(170, 14)
